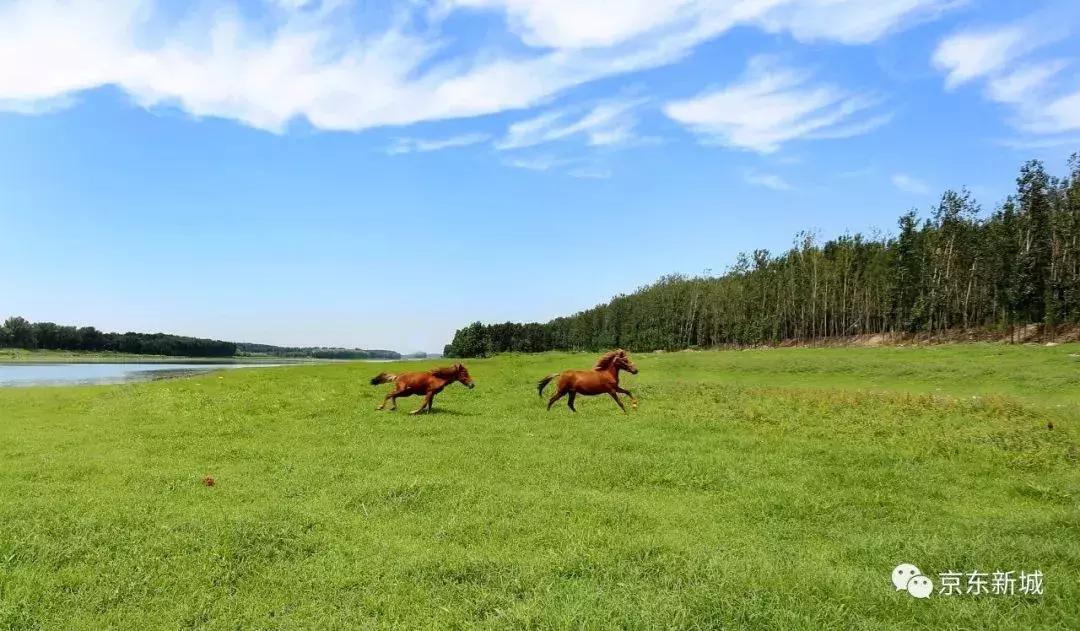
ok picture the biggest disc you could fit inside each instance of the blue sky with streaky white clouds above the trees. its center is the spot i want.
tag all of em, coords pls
(376, 174)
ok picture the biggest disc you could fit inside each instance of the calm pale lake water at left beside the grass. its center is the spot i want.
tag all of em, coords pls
(71, 374)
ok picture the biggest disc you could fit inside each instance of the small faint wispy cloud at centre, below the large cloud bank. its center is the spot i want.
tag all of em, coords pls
(607, 124)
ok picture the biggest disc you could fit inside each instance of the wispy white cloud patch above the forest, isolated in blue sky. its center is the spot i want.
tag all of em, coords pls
(774, 105)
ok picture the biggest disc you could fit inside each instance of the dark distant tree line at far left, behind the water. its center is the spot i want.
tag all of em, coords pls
(21, 333)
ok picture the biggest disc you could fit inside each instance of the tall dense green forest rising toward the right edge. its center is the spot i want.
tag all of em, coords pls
(957, 268)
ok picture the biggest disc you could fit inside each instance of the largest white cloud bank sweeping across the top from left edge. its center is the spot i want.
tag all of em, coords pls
(309, 60)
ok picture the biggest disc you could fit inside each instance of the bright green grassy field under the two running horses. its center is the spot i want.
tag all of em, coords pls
(752, 490)
